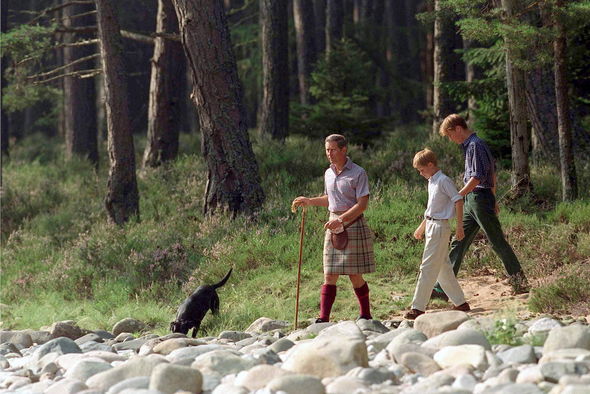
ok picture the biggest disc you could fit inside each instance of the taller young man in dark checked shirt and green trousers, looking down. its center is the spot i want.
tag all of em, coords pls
(481, 208)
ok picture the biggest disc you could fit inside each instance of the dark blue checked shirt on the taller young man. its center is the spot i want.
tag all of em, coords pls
(479, 162)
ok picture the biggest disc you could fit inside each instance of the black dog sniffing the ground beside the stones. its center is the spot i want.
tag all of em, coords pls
(192, 311)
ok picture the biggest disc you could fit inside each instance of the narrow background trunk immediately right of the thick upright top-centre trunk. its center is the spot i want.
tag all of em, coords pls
(306, 50)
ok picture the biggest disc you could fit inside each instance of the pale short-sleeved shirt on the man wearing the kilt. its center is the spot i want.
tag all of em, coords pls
(346, 188)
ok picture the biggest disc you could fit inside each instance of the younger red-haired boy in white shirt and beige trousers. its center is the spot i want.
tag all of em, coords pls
(444, 202)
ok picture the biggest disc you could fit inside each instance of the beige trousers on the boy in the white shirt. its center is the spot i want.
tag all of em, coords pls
(436, 266)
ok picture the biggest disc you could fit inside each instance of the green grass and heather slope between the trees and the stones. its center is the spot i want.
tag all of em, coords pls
(62, 260)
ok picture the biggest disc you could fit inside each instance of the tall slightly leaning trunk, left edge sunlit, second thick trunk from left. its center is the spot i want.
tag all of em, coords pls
(122, 201)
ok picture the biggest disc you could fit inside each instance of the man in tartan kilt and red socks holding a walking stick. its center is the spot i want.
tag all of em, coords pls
(346, 194)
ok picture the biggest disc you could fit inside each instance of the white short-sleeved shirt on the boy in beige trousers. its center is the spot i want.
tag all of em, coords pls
(442, 196)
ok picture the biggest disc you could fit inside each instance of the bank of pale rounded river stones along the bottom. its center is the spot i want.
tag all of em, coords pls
(446, 352)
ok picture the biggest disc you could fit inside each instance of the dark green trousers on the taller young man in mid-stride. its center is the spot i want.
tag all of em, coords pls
(478, 212)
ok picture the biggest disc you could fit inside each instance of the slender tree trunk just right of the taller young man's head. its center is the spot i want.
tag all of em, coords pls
(519, 131)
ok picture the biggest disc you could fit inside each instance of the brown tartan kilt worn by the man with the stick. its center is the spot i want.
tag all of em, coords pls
(357, 258)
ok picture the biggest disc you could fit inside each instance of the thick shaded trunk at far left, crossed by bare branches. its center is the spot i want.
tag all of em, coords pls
(79, 94)
